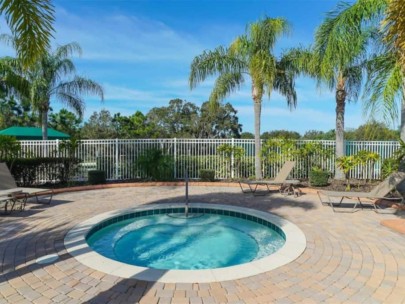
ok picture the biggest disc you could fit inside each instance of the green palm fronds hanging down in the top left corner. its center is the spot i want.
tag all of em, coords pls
(30, 23)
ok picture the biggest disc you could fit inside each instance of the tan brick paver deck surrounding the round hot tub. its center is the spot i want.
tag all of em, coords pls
(350, 258)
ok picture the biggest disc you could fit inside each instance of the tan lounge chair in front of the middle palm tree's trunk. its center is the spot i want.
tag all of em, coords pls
(285, 186)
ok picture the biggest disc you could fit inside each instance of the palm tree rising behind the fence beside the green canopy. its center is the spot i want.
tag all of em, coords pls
(53, 76)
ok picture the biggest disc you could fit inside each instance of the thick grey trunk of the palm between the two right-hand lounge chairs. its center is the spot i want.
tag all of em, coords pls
(340, 125)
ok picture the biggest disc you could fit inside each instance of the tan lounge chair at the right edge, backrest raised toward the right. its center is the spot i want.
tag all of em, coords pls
(361, 198)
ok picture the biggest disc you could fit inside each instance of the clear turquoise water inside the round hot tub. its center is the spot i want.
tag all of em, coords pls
(206, 242)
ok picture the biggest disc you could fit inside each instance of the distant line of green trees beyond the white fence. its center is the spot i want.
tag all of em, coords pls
(179, 119)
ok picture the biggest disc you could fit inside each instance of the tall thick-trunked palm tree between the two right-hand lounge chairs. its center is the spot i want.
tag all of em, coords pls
(336, 58)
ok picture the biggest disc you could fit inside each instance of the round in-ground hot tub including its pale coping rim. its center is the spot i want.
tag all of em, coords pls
(160, 243)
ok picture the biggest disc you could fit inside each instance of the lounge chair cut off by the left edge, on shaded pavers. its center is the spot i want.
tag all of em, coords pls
(9, 188)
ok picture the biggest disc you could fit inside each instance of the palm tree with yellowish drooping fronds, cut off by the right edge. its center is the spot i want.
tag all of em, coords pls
(386, 68)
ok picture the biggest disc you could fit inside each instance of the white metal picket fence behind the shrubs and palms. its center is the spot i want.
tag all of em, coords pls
(119, 157)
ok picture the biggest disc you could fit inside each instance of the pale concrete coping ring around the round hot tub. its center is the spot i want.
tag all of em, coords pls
(77, 246)
